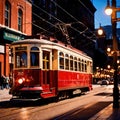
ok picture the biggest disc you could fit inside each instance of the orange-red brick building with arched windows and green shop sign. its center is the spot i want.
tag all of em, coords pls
(15, 24)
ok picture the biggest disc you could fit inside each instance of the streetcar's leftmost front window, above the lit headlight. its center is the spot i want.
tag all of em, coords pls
(21, 59)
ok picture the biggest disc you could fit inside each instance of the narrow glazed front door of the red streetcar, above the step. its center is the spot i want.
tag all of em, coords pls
(46, 70)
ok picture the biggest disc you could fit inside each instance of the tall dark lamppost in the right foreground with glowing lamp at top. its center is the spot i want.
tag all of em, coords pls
(113, 10)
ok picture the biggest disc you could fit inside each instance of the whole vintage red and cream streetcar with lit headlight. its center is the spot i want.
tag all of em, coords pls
(44, 69)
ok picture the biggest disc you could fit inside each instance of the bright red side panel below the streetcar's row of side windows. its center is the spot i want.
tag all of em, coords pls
(69, 80)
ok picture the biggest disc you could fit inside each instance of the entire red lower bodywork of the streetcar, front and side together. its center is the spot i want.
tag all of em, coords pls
(59, 80)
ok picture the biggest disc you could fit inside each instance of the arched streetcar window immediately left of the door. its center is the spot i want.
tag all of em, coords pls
(34, 56)
